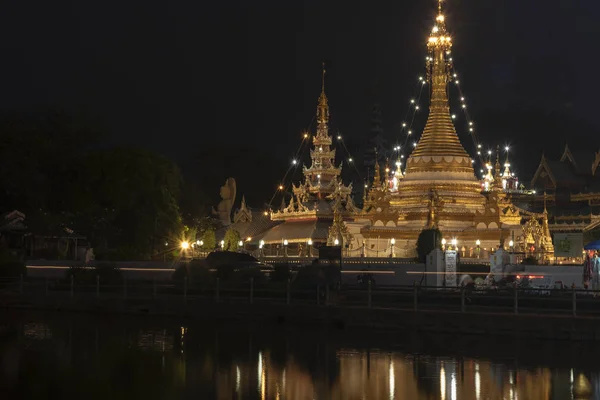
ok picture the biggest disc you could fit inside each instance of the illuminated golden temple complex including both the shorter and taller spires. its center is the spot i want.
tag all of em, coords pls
(438, 188)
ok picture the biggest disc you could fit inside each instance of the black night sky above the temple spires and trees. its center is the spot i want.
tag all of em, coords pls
(197, 80)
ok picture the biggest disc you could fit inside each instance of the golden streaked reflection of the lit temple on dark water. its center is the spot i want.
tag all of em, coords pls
(383, 375)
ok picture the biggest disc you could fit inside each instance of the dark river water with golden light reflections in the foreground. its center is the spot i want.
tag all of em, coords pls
(75, 356)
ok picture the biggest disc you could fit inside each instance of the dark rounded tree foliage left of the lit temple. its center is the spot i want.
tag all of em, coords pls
(124, 200)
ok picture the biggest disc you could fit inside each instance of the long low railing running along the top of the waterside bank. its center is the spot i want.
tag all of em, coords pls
(518, 301)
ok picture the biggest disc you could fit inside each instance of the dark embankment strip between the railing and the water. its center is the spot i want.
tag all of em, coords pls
(547, 326)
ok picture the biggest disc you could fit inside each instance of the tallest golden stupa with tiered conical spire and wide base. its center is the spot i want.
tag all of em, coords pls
(439, 187)
